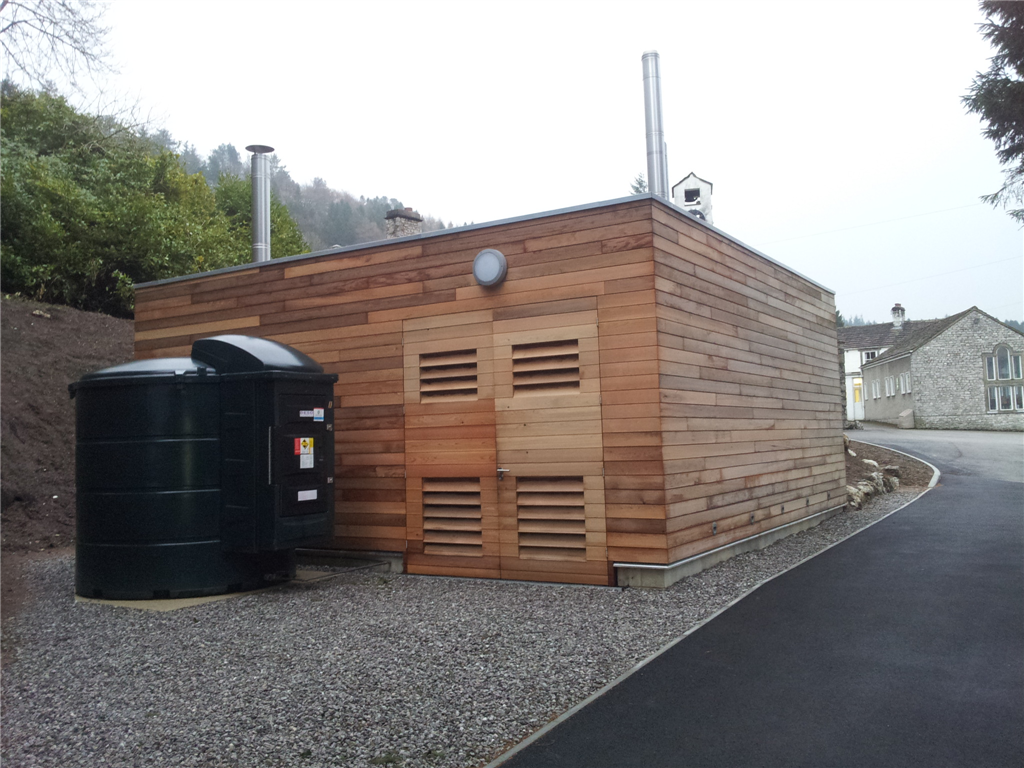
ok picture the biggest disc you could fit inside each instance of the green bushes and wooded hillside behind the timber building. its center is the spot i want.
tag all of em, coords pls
(92, 206)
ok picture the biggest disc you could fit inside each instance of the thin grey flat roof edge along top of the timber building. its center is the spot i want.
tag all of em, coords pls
(475, 228)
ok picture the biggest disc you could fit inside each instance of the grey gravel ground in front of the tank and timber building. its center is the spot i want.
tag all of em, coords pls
(361, 669)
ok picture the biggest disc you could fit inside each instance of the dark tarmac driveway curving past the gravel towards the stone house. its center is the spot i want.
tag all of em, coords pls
(902, 647)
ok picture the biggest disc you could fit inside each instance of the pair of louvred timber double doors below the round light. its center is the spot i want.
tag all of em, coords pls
(503, 449)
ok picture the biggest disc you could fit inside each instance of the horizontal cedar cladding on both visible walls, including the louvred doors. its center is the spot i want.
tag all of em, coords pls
(648, 389)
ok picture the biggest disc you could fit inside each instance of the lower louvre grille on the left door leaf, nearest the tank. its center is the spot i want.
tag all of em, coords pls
(452, 517)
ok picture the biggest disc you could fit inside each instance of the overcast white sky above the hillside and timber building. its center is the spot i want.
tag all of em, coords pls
(833, 132)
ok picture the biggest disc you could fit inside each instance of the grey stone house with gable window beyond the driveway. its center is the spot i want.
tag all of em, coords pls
(962, 372)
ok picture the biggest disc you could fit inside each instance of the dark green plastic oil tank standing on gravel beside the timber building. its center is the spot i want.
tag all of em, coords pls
(152, 468)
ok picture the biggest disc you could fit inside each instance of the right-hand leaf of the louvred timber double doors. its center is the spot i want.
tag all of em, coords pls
(548, 429)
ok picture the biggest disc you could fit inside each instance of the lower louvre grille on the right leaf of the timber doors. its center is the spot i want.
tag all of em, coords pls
(551, 519)
